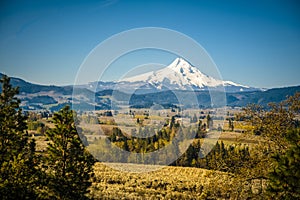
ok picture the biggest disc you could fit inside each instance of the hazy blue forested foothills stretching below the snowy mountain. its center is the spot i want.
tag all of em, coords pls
(41, 97)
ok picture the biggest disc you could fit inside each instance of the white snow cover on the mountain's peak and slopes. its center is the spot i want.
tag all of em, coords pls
(180, 75)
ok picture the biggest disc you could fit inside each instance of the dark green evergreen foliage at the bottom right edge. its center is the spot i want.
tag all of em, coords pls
(285, 178)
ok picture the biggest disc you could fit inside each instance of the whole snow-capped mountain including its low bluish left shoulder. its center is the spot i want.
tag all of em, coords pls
(179, 75)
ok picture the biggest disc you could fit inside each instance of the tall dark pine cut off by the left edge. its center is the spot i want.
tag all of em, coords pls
(18, 163)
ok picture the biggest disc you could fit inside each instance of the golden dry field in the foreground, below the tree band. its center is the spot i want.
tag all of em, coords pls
(165, 183)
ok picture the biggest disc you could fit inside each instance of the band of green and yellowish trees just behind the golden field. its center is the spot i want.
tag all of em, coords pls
(228, 158)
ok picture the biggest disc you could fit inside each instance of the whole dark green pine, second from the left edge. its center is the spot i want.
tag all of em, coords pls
(70, 165)
